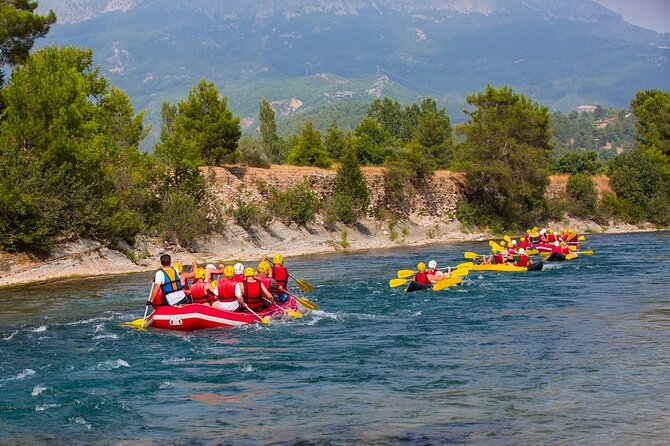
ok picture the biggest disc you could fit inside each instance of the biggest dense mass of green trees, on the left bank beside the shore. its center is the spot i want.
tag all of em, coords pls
(69, 159)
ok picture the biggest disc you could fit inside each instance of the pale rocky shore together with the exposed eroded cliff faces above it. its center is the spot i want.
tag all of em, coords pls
(428, 219)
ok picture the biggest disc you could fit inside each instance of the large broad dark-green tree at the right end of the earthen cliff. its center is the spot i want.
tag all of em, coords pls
(504, 156)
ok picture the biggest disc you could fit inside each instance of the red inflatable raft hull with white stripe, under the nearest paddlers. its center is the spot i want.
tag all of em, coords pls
(198, 316)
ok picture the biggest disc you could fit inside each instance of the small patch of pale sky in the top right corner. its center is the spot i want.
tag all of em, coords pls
(652, 14)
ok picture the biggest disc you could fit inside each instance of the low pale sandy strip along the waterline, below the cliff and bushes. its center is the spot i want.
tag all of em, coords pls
(90, 258)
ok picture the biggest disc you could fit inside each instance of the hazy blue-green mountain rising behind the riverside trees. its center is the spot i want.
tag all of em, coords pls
(302, 53)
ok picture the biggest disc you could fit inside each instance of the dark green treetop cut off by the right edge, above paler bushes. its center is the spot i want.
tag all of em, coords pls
(652, 107)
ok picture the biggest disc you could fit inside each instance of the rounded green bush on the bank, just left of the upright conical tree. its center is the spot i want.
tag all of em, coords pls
(294, 205)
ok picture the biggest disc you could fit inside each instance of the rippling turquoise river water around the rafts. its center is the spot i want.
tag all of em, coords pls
(576, 354)
